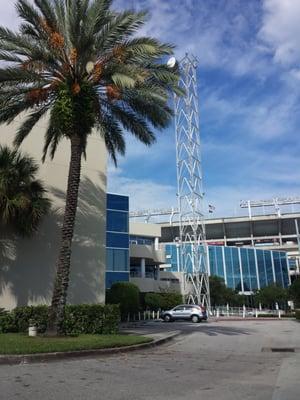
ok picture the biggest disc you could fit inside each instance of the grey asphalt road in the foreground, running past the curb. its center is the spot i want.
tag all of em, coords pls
(216, 360)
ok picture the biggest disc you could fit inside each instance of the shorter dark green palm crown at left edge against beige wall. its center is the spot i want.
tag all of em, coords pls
(23, 200)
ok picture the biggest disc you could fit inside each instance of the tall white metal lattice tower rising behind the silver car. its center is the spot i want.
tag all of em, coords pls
(193, 249)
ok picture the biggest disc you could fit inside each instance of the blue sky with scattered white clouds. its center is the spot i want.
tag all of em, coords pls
(249, 90)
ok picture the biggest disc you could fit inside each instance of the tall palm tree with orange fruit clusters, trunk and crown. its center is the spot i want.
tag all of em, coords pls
(81, 64)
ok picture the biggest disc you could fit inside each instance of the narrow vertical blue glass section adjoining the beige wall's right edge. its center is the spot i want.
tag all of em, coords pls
(117, 239)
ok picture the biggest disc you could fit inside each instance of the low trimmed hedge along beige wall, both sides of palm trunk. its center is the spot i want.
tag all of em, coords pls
(83, 318)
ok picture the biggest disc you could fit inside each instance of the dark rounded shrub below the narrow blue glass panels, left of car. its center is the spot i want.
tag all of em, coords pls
(127, 295)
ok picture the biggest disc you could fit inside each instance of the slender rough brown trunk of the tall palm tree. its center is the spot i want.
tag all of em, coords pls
(59, 296)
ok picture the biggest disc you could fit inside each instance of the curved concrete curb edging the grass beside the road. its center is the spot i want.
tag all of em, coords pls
(65, 355)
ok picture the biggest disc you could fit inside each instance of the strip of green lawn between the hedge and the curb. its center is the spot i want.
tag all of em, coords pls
(16, 343)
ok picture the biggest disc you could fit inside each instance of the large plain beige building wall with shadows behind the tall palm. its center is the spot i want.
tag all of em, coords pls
(27, 265)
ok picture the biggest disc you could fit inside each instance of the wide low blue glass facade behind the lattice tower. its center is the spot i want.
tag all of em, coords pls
(243, 269)
